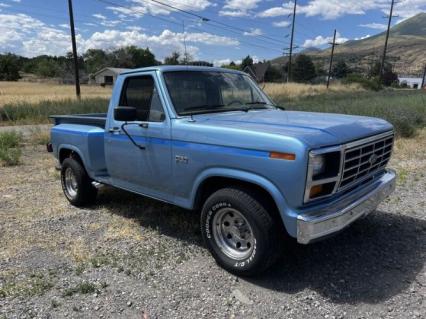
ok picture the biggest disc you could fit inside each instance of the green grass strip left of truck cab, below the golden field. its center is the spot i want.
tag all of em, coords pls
(30, 113)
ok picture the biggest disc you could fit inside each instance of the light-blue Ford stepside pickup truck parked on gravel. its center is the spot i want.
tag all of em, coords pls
(208, 139)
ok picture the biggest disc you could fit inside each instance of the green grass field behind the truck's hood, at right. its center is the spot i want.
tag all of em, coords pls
(406, 110)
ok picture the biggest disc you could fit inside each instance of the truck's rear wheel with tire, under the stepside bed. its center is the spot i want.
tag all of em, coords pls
(76, 184)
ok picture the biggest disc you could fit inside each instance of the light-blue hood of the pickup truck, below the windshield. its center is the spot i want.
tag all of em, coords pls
(314, 129)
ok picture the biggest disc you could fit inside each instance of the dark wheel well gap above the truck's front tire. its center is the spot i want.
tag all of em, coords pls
(212, 184)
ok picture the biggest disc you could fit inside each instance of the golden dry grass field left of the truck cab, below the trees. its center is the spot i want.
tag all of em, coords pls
(15, 92)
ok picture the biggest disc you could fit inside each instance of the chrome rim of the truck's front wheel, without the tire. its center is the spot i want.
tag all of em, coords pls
(233, 234)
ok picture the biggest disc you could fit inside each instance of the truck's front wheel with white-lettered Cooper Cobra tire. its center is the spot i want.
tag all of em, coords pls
(239, 232)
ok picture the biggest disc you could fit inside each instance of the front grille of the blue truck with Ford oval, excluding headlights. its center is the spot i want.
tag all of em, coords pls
(363, 161)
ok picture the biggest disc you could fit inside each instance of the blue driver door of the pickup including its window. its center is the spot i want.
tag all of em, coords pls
(147, 170)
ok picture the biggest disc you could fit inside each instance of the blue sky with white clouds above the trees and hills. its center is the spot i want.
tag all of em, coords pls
(214, 31)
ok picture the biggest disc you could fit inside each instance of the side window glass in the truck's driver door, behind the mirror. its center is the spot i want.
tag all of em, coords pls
(140, 92)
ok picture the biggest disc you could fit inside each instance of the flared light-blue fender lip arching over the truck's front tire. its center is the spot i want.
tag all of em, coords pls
(288, 216)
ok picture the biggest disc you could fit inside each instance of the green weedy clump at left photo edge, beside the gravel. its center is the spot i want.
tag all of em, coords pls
(10, 148)
